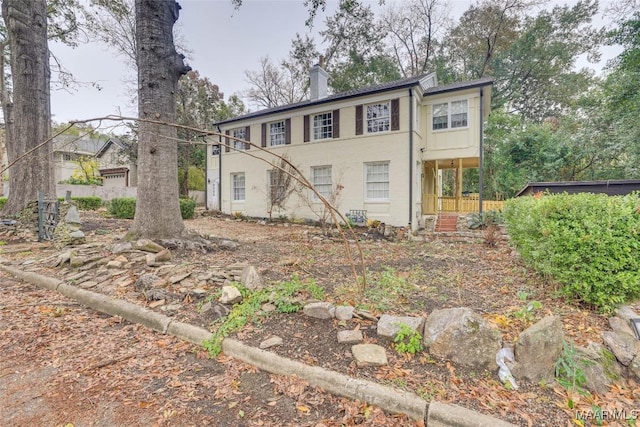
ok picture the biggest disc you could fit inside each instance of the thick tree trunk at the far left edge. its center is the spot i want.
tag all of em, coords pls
(28, 117)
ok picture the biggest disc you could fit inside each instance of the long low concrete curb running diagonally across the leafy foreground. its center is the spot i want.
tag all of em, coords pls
(435, 414)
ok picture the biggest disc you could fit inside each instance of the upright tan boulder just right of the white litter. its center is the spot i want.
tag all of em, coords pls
(537, 350)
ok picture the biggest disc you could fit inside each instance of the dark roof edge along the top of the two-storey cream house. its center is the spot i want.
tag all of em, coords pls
(382, 87)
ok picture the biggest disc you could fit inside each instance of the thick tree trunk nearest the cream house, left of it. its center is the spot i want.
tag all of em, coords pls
(159, 68)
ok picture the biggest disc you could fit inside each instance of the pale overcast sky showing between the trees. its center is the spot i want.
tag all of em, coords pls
(224, 43)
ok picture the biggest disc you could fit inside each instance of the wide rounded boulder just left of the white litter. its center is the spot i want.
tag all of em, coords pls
(462, 336)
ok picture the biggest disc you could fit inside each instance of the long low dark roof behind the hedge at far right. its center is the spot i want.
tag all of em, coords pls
(612, 187)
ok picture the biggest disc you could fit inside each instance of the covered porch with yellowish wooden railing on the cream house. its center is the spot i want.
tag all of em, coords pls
(442, 188)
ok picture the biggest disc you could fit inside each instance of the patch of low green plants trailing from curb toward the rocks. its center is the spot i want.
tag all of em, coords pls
(284, 295)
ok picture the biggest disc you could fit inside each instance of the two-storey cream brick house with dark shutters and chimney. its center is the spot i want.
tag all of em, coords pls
(383, 146)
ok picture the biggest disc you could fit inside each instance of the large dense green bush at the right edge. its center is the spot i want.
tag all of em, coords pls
(589, 243)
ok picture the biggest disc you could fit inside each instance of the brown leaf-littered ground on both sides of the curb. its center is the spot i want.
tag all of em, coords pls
(61, 363)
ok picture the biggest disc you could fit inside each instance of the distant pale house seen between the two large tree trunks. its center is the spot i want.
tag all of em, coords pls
(113, 165)
